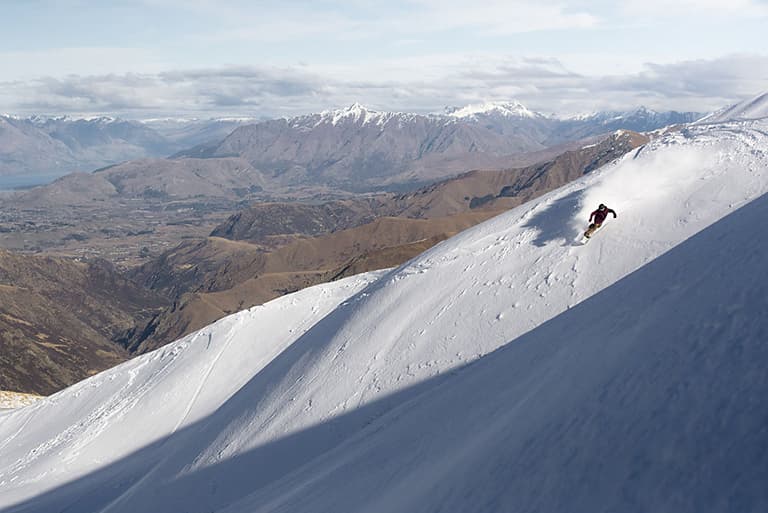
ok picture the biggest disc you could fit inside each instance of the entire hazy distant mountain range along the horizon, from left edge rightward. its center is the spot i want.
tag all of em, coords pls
(354, 148)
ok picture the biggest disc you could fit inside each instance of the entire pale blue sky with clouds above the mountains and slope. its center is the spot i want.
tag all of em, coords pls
(144, 59)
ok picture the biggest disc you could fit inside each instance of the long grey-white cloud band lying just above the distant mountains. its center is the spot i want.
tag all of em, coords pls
(425, 84)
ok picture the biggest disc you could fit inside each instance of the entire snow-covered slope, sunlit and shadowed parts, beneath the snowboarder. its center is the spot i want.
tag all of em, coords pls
(506, 369)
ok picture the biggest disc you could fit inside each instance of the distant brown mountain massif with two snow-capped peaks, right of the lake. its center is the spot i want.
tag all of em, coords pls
(360, 150)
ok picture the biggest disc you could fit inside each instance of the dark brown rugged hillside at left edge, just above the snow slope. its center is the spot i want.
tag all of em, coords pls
(59, 320)
